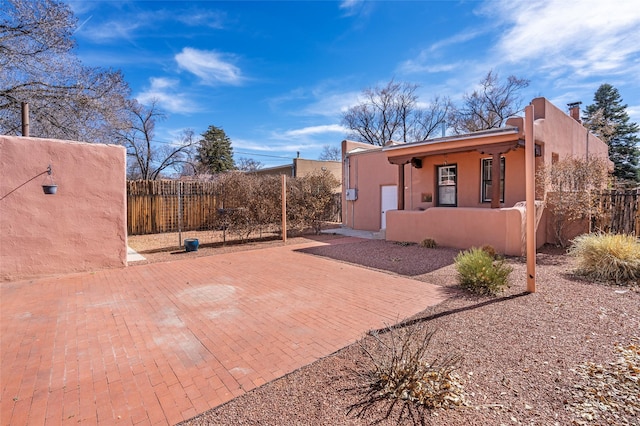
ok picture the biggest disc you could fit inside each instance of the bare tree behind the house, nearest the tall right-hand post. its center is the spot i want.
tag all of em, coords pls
(490, 106)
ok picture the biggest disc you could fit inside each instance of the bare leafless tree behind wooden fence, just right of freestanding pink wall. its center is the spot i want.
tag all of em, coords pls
(149, 159)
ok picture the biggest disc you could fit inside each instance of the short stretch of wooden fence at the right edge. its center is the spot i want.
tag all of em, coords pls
(620, 212)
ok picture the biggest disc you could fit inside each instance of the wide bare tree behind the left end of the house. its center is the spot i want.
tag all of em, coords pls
(392, 112)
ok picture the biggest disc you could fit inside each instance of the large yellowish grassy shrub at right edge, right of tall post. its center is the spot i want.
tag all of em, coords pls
(607, 257)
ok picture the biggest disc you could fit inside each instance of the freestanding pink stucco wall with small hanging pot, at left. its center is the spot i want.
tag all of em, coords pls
(81, 228)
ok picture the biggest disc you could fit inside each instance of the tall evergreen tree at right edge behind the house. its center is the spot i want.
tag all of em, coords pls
(607, 118)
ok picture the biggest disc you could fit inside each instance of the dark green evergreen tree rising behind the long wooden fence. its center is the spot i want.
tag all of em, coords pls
(215, 154)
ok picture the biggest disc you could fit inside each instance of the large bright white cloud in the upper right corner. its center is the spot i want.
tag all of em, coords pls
(590, 37)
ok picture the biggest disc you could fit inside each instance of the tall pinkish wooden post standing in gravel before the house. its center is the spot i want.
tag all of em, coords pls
(530, 197)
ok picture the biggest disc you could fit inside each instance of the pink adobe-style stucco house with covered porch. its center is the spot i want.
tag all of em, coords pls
(445, 188)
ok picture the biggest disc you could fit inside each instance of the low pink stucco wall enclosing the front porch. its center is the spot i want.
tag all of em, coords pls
(460, 227)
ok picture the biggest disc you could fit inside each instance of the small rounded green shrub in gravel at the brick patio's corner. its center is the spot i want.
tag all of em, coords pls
(479, 273)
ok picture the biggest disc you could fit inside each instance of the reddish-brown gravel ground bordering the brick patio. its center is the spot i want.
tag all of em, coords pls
(535, 359)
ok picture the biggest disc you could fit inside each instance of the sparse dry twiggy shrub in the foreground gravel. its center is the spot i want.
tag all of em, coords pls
(394, 373)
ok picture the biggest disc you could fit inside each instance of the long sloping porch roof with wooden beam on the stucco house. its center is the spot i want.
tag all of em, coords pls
(491, 141)
